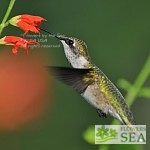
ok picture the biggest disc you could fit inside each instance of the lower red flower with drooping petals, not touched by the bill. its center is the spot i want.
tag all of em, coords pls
(16, 42)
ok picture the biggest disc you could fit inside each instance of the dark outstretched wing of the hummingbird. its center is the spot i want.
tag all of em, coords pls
(71, 76)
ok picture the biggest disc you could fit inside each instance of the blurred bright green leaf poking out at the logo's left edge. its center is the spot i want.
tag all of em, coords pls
(89, 135)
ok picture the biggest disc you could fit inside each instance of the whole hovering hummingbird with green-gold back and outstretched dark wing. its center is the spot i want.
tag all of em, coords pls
(90, 82)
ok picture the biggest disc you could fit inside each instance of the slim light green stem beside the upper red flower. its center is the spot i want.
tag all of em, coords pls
(4, 23)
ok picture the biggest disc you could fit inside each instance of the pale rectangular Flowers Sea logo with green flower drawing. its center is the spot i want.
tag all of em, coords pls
(120, 134)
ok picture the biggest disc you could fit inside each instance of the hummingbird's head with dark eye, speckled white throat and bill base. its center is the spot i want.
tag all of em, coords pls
(76, 51)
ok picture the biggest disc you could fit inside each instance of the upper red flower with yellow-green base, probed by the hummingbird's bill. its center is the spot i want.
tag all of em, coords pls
(27, 22)
